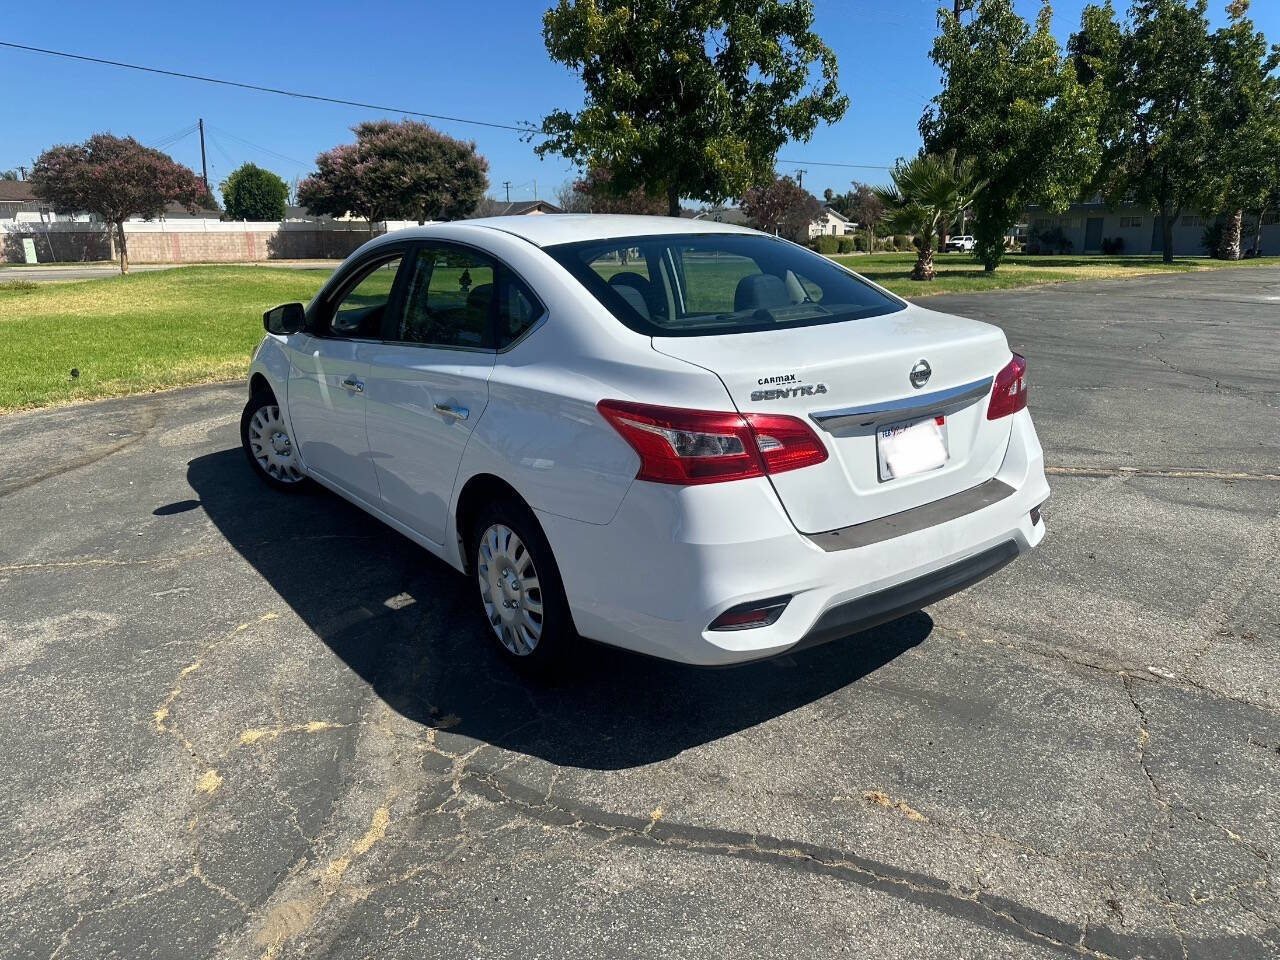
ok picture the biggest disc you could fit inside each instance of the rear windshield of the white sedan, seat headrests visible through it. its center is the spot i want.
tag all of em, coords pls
(712, 285)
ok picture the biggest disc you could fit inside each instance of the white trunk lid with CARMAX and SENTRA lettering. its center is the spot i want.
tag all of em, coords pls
(861, 371)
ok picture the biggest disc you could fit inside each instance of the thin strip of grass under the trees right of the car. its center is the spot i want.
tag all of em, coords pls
(961, 273)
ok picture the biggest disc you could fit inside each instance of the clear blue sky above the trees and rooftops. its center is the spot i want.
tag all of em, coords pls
(482, 60)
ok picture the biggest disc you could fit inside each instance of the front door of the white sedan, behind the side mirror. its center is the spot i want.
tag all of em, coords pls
(330, 376)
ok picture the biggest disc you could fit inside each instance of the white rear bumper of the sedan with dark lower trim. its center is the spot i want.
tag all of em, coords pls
(675, 559)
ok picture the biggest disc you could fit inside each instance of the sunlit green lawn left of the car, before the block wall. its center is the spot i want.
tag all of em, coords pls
(138, 333)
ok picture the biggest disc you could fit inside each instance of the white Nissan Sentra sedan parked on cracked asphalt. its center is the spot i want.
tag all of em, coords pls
(683, 438)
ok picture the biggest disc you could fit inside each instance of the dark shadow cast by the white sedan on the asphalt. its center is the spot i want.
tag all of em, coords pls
(409, 625)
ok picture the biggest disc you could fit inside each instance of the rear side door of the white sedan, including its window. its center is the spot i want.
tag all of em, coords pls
(429, 381)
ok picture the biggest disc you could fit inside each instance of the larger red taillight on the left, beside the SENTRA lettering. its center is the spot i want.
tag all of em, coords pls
(680, 446)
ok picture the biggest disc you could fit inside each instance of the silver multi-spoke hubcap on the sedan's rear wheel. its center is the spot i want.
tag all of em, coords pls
(510, 591)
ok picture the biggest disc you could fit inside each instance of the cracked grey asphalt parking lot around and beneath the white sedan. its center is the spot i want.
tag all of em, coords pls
(245, 725)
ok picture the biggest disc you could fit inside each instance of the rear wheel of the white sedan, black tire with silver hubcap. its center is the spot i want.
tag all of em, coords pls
(531, 623)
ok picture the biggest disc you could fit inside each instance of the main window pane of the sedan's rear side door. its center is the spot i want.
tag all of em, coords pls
(450, 299)
